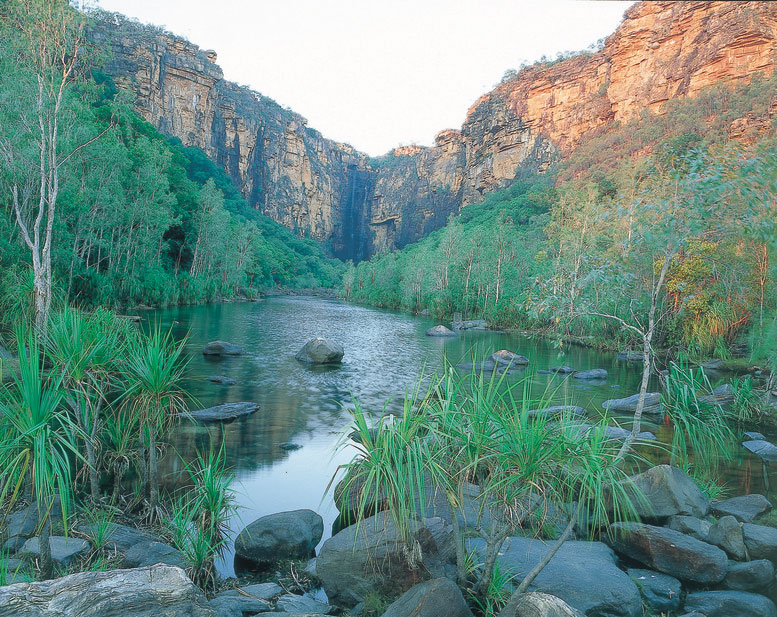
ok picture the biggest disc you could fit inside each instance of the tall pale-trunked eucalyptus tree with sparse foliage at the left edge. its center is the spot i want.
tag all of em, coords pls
(40, 64)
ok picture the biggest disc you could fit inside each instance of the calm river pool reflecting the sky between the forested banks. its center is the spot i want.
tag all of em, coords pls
(385, 354)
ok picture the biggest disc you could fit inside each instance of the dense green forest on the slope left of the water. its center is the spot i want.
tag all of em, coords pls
(125, 214)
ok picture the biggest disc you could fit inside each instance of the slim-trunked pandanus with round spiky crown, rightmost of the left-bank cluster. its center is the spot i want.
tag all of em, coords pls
(154, 370)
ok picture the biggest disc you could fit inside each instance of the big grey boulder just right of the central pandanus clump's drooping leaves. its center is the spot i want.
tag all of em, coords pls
(664, 491)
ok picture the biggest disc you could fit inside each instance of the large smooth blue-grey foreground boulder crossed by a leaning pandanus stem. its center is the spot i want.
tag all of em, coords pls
(583, 574)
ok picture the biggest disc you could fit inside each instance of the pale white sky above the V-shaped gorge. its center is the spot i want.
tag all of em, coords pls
(377, 74)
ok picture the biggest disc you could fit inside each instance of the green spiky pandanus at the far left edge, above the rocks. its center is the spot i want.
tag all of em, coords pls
(37, 442)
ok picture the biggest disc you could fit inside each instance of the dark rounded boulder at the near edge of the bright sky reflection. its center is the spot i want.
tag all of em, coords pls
(284, 535)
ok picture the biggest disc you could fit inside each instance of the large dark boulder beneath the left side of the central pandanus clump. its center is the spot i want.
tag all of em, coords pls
(371, 557)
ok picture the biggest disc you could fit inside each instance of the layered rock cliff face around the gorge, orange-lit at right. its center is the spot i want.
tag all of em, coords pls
(317, 187)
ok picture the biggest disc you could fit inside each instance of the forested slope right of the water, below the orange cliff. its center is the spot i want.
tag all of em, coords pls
(667, 212)
